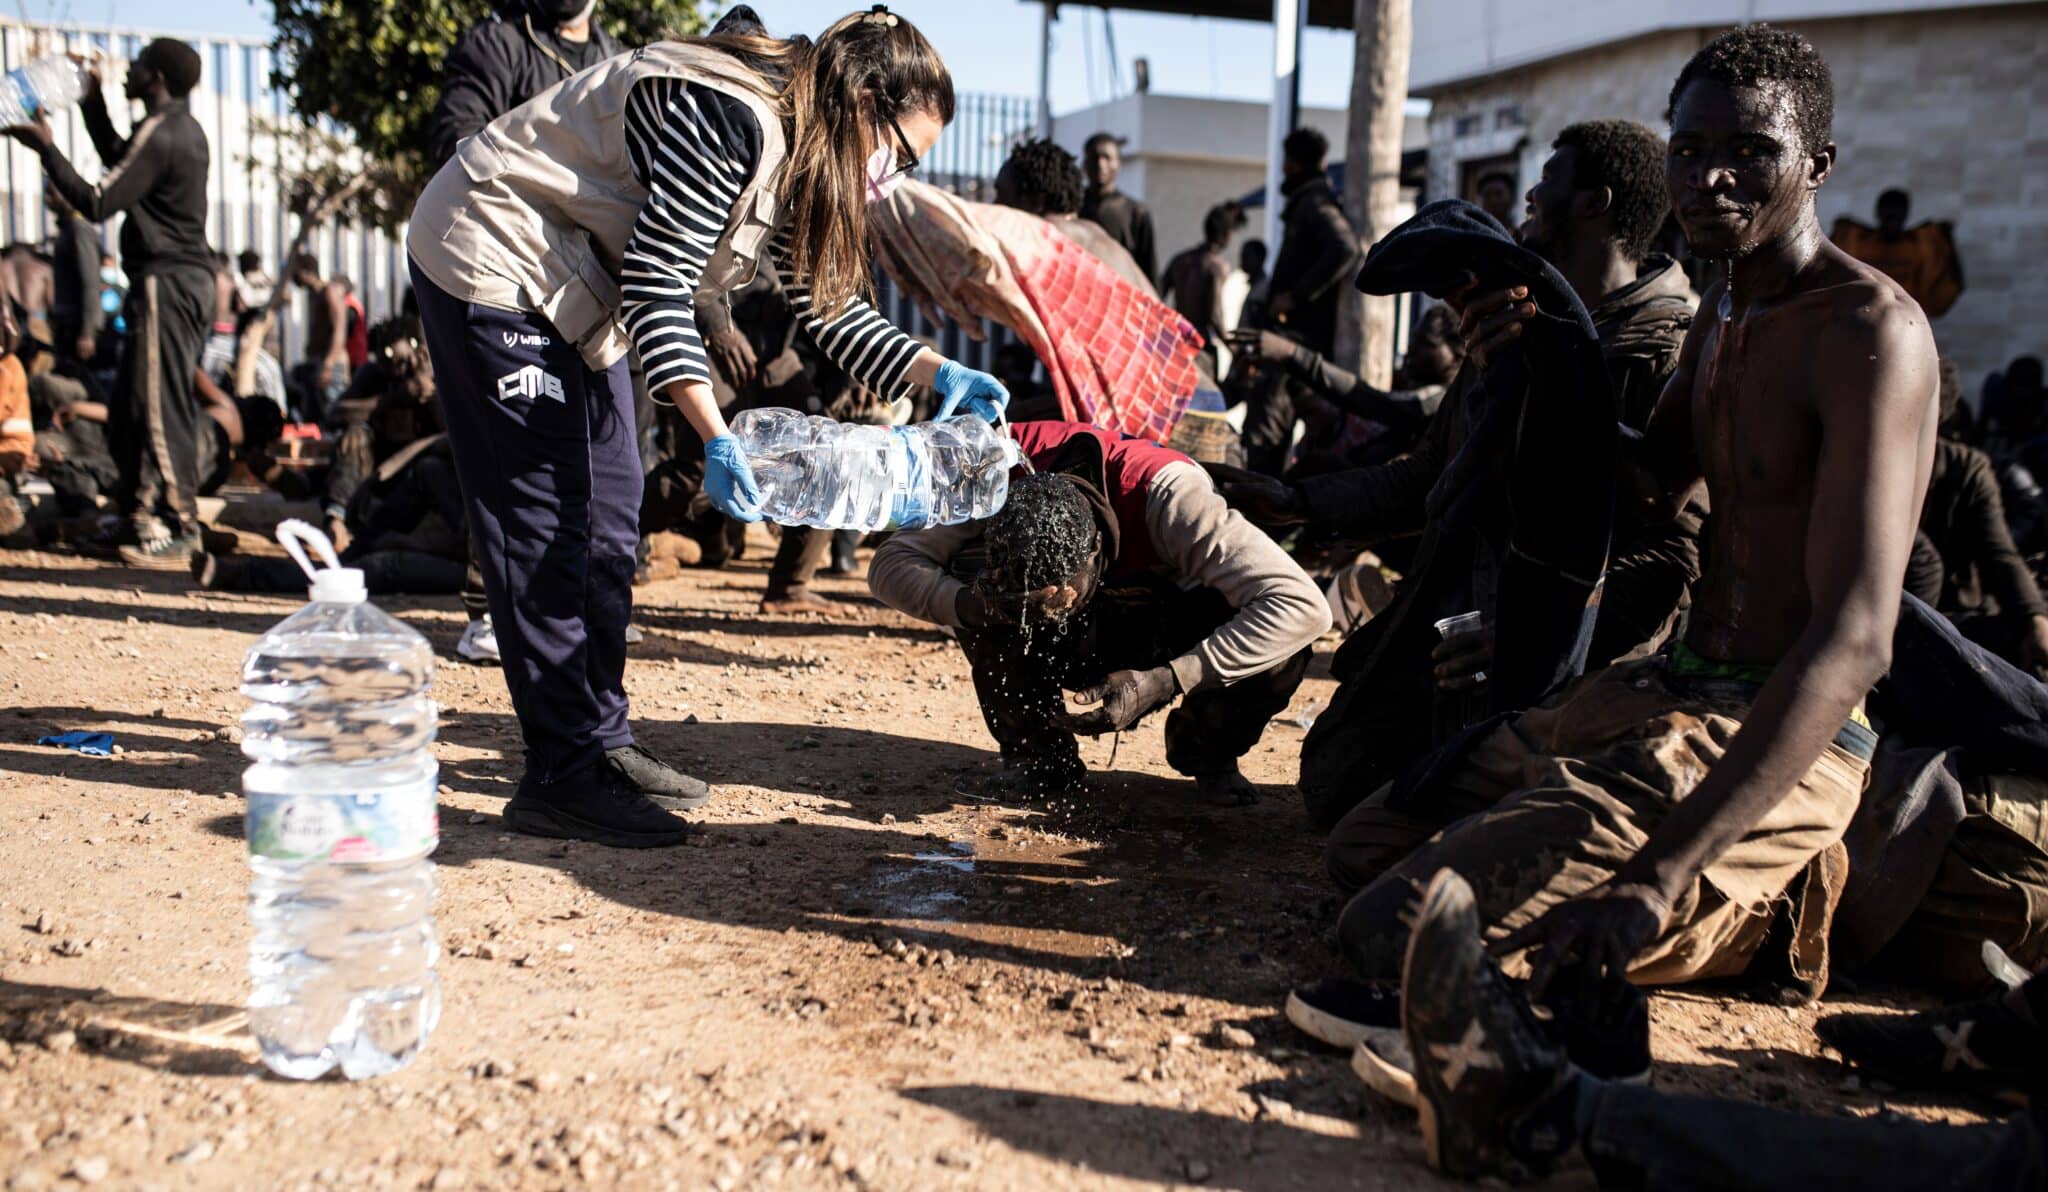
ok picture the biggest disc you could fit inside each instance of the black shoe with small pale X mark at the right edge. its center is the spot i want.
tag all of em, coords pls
(1979, 1048)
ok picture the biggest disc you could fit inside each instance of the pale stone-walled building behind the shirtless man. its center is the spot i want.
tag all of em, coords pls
(1940, 97)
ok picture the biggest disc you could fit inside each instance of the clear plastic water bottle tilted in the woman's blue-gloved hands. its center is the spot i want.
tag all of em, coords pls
(839, 476)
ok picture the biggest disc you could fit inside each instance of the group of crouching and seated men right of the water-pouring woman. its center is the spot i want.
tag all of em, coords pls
(1703, 728)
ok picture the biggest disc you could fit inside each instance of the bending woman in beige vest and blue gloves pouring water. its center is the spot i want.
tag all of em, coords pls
(579, 228)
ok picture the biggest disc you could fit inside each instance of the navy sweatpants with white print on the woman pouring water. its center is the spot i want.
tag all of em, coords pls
(550, 466)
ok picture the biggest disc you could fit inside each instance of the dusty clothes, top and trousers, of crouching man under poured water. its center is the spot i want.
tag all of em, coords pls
(1189, 585)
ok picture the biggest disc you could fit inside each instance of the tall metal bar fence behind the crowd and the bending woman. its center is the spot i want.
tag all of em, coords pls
(247, 189)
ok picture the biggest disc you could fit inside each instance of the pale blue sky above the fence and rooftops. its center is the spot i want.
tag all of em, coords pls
(990, 44)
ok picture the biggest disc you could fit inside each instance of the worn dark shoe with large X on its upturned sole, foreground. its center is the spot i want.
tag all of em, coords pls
(1482, 1058)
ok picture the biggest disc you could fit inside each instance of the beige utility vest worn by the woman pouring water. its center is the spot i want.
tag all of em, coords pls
(534, 214)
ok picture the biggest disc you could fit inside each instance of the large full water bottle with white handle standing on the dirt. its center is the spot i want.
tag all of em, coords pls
(341, 820)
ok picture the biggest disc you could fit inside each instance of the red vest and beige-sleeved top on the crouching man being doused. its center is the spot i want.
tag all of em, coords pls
(1175, 523)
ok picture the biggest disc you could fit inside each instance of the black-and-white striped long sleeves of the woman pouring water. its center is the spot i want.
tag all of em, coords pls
(697, 151)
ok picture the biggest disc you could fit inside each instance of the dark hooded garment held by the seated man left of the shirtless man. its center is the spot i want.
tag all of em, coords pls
(1514, 493)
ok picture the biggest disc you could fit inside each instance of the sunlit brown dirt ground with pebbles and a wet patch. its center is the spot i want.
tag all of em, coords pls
(861, 974)
